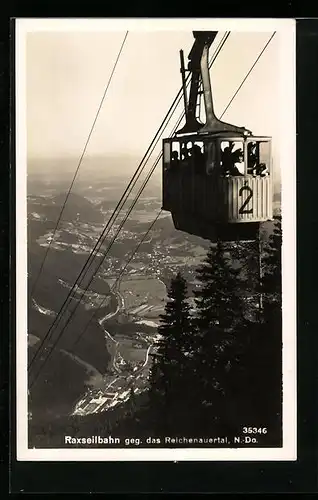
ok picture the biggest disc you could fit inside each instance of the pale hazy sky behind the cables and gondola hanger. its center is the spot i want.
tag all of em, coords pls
(67, 72)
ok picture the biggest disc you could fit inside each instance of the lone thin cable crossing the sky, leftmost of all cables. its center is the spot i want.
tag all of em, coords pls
(79, 163)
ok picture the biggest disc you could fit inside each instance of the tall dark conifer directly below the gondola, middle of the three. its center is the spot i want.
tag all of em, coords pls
(219, 319)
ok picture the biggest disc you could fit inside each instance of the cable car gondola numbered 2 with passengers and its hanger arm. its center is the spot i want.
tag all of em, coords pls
(217, 177)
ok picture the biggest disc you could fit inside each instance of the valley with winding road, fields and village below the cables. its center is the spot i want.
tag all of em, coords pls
(104, 340)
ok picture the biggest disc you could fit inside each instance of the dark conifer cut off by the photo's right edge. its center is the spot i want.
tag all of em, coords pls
(261, 362)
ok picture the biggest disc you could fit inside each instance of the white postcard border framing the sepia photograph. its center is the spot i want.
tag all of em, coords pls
(286, 31)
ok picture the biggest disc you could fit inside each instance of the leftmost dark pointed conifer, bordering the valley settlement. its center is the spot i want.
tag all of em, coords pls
(169, 377)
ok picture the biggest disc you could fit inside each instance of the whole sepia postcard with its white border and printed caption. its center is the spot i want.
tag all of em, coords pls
(155, 230)
